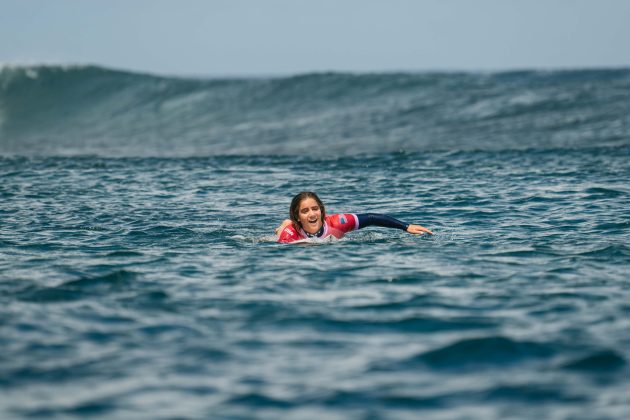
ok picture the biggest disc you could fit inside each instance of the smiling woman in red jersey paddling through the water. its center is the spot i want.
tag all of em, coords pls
(308, 219)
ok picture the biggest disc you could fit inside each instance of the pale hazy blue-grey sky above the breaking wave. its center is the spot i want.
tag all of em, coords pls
(262, 37)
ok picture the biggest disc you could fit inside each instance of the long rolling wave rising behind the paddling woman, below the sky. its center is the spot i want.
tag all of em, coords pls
(89, 110)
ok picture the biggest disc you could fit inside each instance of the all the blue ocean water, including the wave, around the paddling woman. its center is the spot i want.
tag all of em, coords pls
(140, 277)
